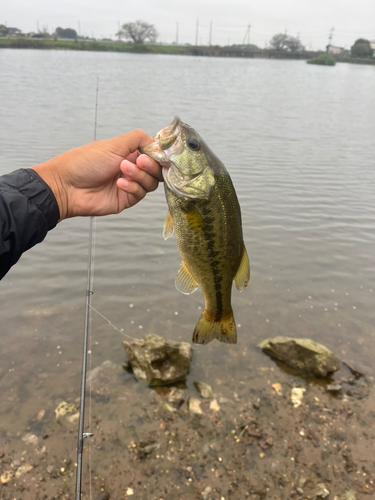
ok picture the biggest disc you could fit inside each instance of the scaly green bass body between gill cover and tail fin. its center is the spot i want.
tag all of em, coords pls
(209, 245)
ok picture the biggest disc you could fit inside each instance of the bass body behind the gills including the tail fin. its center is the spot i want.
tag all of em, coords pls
(209, 239)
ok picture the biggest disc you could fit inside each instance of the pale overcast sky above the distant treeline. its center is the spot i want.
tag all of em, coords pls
(312, 20)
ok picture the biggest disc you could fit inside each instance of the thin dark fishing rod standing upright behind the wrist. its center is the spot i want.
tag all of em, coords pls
(82, 435)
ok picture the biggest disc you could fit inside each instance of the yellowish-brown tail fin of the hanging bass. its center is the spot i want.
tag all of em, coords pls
(208, 329)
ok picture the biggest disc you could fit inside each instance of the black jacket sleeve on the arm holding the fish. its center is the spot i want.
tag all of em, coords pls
(28, 210)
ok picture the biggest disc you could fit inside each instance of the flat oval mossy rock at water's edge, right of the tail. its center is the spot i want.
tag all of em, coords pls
(302, 354)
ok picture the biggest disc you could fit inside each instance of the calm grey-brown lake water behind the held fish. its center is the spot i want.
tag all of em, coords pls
(298, 141)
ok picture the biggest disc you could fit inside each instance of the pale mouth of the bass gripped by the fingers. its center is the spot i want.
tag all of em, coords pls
(167, 142)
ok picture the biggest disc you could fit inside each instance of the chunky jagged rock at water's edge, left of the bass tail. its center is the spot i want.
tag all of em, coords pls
(158, 361)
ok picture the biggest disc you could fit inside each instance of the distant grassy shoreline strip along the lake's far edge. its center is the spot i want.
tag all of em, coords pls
(189, 50)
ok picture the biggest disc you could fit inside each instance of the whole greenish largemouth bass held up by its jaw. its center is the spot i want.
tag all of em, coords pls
(205, 216)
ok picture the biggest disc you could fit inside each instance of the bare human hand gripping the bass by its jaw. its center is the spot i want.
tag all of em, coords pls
(102, 177)
